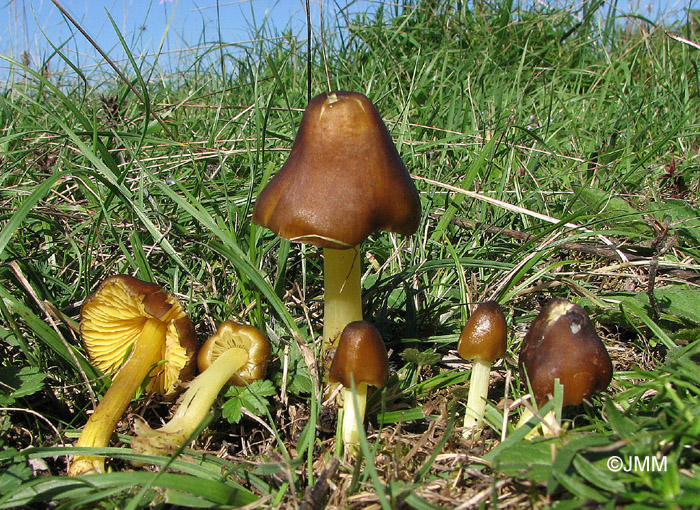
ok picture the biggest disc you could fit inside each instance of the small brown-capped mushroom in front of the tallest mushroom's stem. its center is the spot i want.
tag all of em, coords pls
(360, 359)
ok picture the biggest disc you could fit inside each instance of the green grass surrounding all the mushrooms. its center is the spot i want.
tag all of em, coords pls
(556, 155)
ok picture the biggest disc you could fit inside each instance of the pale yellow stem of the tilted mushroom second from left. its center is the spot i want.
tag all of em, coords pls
(192, 409)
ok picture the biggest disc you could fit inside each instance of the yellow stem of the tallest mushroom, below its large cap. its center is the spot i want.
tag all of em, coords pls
(342, 296)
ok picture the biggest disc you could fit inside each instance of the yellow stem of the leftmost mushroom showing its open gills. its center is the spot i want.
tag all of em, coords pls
(103, 421)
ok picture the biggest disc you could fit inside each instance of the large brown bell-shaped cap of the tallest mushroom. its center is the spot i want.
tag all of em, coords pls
(343, 179)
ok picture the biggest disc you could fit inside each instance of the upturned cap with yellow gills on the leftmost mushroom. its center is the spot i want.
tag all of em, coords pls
(112, 319)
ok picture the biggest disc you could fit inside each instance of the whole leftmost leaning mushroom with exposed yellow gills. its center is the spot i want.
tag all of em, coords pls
(139, 331)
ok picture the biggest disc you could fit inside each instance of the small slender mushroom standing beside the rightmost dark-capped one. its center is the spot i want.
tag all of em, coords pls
(483, 340)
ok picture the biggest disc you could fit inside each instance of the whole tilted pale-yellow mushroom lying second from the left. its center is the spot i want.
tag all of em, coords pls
(236, 354)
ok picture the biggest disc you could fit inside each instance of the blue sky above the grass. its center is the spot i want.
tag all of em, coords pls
(183, 24)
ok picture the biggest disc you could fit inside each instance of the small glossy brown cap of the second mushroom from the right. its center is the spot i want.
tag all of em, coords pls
(484, 337)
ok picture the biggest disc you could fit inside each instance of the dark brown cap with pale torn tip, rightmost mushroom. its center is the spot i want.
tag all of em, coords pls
(562, 343)
